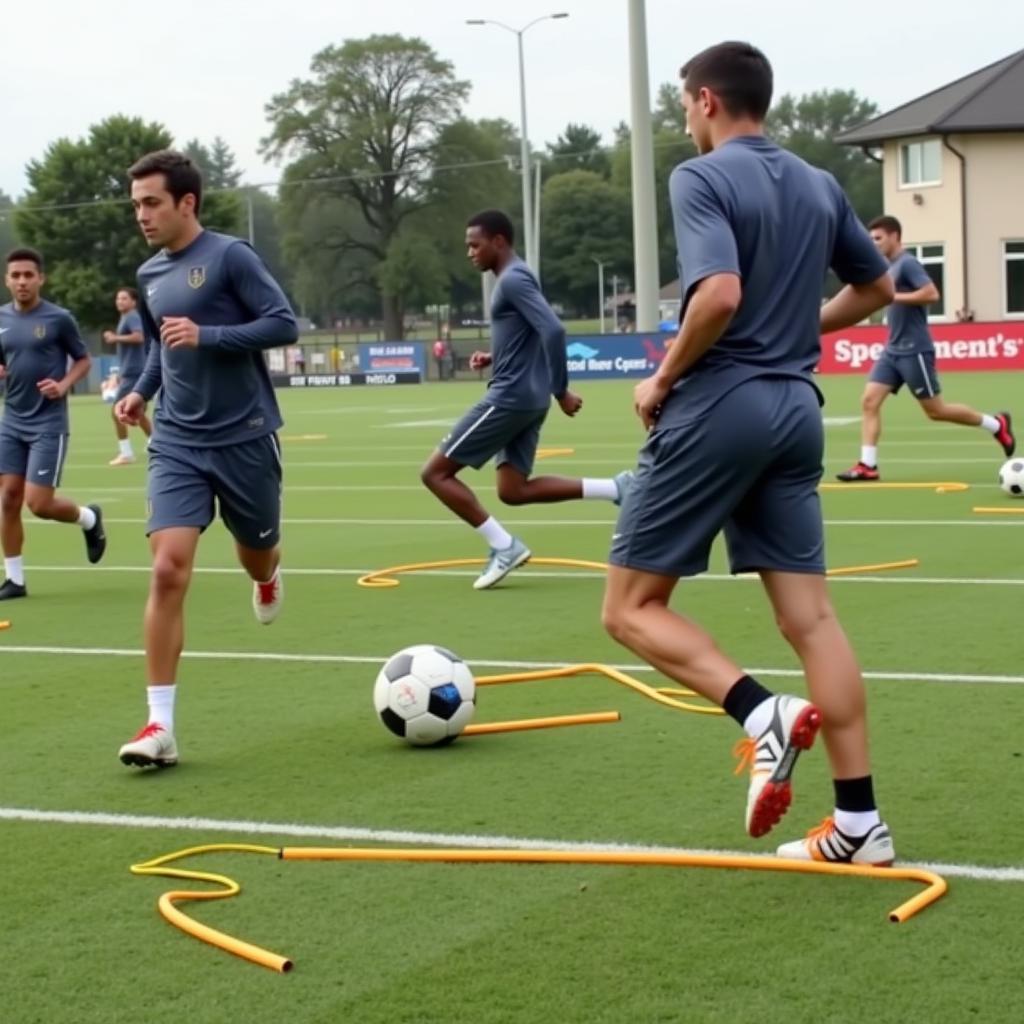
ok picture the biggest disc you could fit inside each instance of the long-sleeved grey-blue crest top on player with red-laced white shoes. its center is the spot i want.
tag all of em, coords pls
(219, 394)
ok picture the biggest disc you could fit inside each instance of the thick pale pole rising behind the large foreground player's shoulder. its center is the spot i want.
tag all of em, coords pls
(645, 216)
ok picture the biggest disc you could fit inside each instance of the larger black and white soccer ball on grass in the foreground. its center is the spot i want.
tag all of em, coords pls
(425, 695)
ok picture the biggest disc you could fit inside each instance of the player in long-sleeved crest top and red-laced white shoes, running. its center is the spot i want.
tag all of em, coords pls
(211, 309)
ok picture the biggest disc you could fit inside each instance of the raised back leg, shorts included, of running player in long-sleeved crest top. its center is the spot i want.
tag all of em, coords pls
(248, 484)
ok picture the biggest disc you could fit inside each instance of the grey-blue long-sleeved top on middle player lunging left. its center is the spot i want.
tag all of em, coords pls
(528, 344)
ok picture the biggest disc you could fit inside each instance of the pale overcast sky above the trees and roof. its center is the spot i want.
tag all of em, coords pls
(205, 68)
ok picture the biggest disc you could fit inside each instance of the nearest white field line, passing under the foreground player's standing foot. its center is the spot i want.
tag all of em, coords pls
(349, 833)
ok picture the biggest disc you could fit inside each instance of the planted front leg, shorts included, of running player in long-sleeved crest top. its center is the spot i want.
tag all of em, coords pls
(181, 508)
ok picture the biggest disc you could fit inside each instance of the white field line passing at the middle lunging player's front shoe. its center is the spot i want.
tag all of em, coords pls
(559, 575)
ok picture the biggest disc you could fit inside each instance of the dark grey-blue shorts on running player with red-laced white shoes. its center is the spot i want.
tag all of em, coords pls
(244, 481)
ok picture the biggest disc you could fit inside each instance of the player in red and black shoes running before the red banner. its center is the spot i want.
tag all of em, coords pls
(910, 359)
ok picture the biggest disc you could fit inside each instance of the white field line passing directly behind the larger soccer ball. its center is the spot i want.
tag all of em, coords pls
(250, 656)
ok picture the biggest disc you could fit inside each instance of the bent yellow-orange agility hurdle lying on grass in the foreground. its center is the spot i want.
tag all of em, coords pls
(936, 886)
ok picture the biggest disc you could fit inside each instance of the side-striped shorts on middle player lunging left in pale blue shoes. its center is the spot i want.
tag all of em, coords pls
(508, 436)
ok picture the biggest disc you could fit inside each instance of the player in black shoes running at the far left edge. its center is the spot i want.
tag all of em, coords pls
(41, 359)
